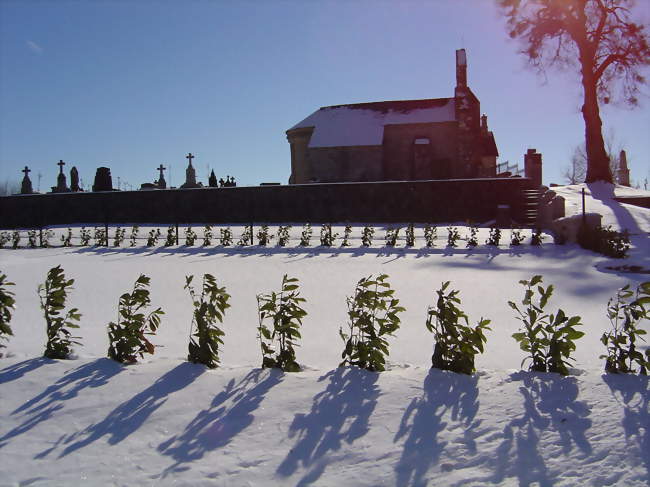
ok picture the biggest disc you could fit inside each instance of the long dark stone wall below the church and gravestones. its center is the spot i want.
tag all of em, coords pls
(406, 201)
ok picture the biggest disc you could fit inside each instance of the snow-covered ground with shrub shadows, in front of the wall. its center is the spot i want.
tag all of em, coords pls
(91, 421)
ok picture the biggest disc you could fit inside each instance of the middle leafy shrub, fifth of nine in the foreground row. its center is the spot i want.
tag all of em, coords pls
(284, 312)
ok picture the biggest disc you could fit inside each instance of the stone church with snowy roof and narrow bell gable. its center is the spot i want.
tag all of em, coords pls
(438, 138)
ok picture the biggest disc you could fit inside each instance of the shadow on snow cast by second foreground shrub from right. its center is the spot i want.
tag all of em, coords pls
(550, 404)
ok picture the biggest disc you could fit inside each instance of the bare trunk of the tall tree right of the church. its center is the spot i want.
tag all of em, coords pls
(597, 159)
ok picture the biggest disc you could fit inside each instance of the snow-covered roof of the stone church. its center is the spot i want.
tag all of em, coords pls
(363, 123)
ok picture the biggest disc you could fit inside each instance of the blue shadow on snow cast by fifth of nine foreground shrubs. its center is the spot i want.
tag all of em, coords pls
(230, 413)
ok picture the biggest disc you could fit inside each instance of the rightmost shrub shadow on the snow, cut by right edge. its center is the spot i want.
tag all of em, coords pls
(634, 391)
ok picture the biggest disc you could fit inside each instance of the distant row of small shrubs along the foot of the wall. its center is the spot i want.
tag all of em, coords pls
(99, 237)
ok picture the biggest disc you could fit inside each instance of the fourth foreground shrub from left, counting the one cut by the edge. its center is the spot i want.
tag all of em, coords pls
(209, 310)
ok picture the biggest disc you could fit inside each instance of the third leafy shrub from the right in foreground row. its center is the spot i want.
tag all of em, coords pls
(457, 343)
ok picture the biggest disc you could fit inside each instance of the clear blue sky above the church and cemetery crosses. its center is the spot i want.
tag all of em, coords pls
(133, 84)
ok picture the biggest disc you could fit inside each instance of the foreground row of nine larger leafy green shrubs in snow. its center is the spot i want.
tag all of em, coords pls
(373, 316)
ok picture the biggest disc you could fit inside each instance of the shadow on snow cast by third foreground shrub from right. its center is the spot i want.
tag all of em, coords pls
(423, 421)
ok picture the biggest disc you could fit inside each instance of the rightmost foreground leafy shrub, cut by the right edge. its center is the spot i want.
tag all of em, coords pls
(625, 311)
